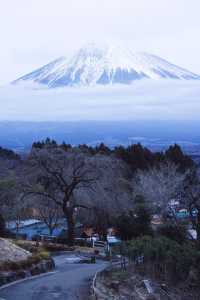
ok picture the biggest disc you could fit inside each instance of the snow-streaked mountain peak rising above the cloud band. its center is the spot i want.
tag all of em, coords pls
(93, 65)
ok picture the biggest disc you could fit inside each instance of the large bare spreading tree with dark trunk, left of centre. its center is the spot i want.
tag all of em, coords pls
(58, 175)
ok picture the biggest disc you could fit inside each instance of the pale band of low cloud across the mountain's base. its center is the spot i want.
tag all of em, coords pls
(144, 100)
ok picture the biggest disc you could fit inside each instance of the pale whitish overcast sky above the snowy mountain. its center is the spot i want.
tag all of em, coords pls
(34, 32)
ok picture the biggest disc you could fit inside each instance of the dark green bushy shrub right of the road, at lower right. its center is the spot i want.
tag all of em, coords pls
(165, 257)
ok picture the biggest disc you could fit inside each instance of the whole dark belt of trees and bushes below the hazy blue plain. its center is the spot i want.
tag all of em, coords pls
(124, 188)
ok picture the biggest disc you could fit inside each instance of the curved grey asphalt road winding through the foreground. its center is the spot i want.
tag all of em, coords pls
(69, 281)
